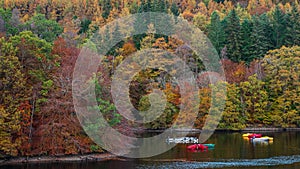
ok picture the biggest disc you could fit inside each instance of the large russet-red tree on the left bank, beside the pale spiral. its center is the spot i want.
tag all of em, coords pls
(57, 129)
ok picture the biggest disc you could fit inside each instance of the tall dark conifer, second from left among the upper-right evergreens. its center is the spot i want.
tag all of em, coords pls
(233, 38)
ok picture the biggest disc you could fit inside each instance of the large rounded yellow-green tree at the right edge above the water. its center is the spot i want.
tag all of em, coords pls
(282, 79)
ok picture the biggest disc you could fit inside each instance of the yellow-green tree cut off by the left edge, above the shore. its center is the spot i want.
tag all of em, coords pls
(13, 92)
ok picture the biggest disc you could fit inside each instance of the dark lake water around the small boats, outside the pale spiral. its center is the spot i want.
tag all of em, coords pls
(231, 152)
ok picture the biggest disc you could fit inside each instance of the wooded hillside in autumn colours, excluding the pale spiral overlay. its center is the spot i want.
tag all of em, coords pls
(258, 42)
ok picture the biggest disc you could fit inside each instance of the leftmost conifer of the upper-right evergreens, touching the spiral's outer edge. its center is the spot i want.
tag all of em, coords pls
(216, 32)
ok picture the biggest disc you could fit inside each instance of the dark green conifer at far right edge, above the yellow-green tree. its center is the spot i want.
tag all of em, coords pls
(293, 27)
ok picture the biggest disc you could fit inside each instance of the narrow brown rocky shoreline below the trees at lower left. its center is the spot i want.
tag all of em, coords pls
(64, 158)
